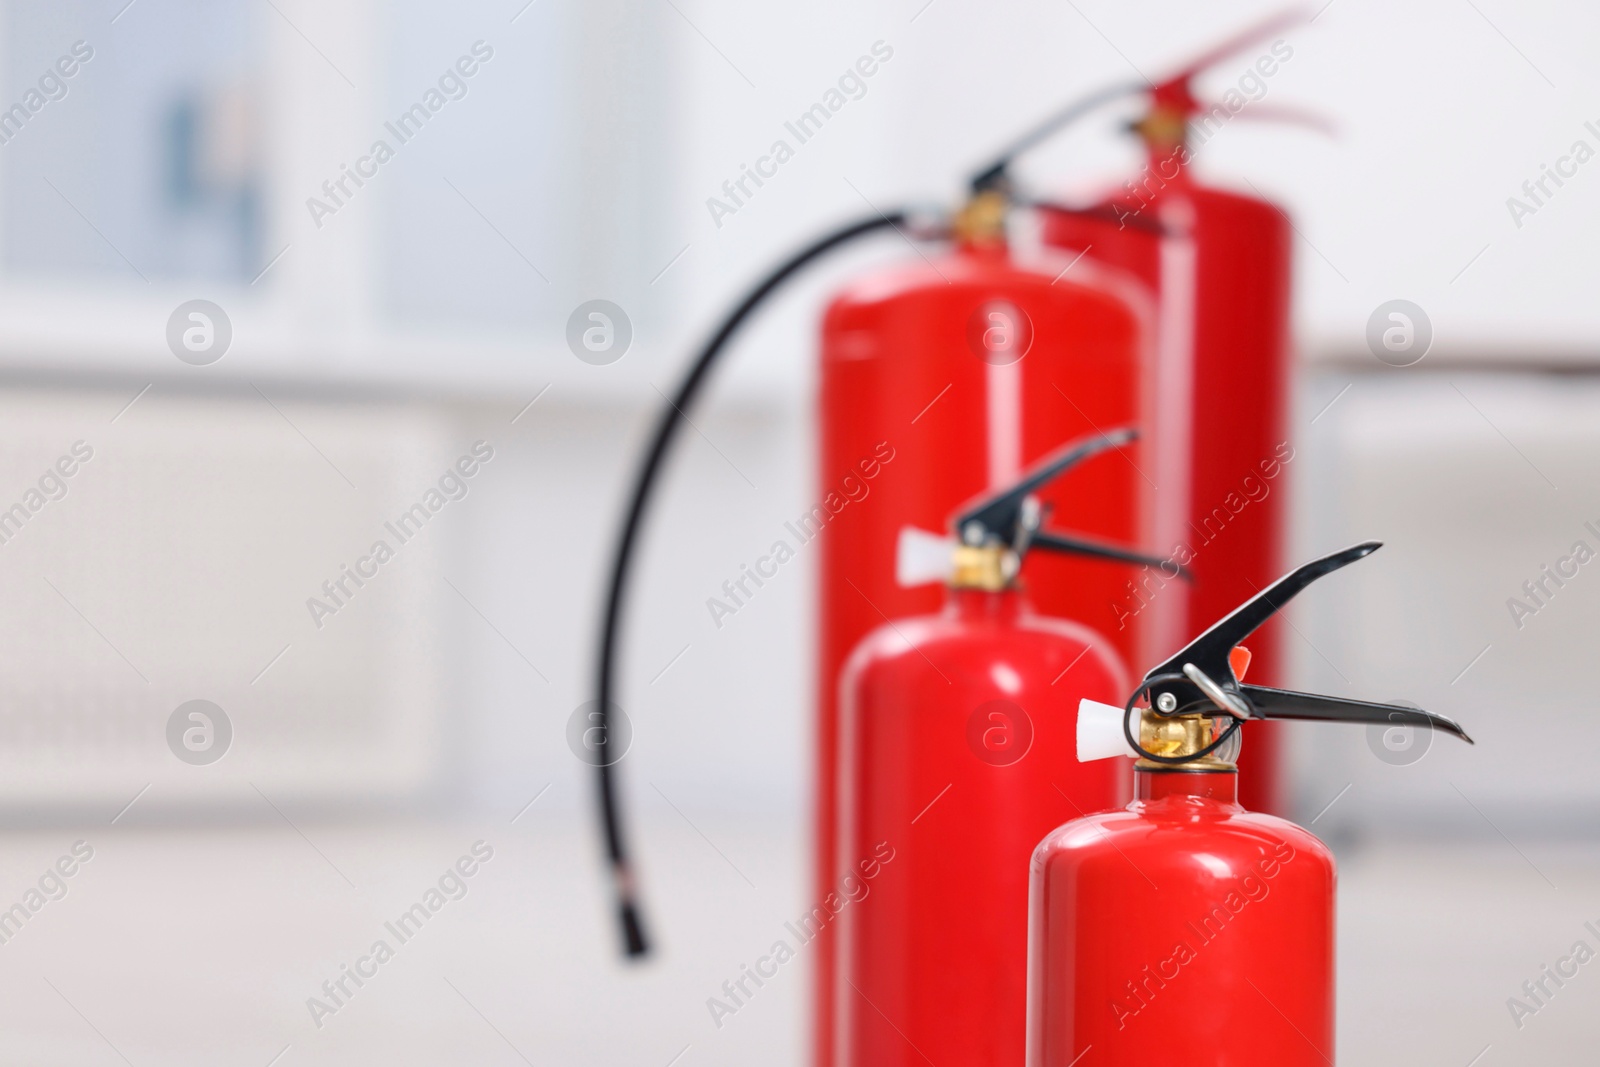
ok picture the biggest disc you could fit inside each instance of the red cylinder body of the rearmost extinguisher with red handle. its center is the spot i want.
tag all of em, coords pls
(1234, 423)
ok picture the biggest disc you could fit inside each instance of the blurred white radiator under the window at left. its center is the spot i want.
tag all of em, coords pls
(166, 553)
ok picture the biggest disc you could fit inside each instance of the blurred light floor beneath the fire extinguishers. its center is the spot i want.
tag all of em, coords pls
(202, 946)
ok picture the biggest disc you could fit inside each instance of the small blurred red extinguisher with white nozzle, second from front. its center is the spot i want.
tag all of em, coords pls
(956, 741)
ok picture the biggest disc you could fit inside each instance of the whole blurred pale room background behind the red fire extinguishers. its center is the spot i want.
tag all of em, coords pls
(366, 345)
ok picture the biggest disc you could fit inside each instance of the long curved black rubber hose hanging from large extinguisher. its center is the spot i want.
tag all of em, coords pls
(644, 484)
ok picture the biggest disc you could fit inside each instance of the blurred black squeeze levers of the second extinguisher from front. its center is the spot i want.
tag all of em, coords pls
(1014, 516)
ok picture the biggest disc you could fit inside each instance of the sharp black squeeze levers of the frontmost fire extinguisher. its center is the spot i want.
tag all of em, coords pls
(1204, 676)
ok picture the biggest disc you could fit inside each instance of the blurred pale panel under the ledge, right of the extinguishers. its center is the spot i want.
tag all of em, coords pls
(1479, 484)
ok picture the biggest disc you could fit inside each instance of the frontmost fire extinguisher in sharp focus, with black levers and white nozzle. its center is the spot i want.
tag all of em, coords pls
(1186, 921)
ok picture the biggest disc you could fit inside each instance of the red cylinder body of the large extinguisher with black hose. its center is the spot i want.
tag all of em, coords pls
(902, 372)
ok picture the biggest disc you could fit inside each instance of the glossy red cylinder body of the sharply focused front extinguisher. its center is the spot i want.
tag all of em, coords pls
(1183, 930)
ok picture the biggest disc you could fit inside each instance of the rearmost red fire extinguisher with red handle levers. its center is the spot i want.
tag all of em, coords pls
(1220, 273)
